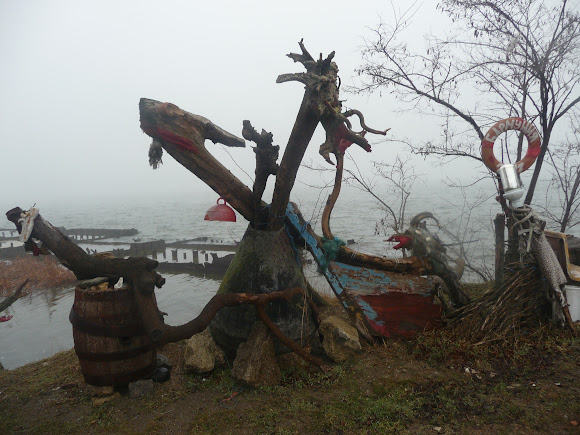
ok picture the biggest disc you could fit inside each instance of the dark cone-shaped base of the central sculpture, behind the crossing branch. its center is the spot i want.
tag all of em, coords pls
(265, 262)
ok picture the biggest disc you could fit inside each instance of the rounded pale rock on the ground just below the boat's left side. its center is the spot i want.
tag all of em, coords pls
(340, 339)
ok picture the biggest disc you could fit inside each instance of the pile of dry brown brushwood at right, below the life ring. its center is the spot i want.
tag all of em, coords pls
(501, 313)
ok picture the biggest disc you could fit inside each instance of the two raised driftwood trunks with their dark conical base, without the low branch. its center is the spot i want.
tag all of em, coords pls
(266, 261)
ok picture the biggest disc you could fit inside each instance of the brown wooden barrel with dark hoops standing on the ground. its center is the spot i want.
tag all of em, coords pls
(110, 340)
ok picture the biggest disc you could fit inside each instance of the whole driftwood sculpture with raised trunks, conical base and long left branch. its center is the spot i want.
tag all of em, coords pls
(266, 261)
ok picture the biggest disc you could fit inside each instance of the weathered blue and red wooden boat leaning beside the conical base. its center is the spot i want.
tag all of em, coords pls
(387, 303)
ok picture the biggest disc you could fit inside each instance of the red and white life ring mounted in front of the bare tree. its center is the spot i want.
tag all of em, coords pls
(519, 124)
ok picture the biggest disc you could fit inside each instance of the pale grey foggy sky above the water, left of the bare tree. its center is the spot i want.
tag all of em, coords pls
(73, 73)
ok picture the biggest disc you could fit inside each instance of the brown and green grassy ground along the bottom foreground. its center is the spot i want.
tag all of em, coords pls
(432, 382)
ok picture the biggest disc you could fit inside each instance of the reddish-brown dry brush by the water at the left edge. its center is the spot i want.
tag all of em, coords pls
(43, 272)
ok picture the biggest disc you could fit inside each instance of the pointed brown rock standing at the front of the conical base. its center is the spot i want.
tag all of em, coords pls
(255, 363)
